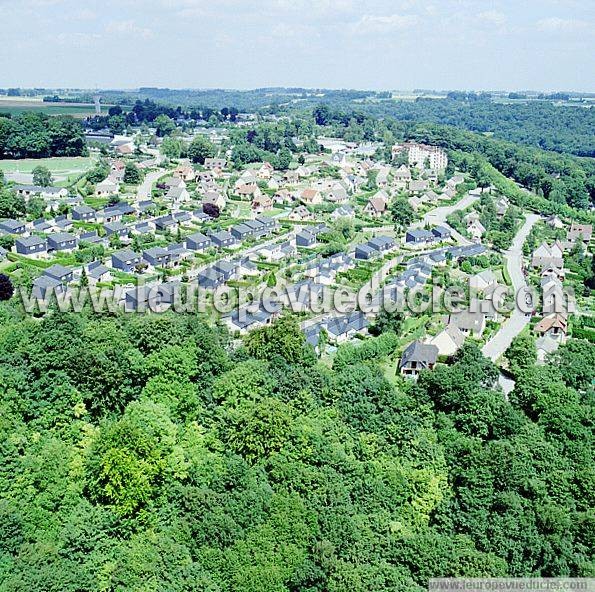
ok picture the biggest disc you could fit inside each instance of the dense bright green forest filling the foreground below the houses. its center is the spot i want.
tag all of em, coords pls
(151, 453)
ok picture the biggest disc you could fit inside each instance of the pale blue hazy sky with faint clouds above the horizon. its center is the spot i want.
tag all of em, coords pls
(378, 44)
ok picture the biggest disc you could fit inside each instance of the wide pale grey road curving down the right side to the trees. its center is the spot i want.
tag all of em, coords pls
(518, 320)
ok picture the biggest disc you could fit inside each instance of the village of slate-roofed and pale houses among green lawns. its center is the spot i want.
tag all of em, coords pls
(336, 218)
